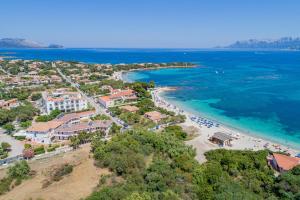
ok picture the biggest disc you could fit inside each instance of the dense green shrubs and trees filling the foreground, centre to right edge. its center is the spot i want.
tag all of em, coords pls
(161, 166)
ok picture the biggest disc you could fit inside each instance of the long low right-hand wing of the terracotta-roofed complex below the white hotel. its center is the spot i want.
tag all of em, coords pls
(66, 131)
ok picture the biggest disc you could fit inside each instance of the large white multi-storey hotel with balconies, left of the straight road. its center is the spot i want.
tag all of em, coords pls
(63, 100)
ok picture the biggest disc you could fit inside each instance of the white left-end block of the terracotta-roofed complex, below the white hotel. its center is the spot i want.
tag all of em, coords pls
(42, 132)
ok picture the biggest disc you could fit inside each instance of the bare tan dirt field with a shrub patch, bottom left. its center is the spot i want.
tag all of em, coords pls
(79, 184)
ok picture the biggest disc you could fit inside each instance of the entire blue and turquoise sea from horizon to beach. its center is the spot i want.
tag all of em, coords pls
(256, 91)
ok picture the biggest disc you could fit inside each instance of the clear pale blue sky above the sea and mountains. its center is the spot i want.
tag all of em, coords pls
(148, 23)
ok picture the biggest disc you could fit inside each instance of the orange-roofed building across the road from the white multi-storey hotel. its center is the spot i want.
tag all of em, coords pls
(117, 97)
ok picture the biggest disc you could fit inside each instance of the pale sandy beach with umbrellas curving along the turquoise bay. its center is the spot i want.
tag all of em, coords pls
(241, 141)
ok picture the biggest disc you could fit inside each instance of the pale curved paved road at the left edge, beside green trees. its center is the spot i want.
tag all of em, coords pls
(16, 146)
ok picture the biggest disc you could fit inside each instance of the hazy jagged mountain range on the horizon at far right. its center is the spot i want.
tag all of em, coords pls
(282, 43)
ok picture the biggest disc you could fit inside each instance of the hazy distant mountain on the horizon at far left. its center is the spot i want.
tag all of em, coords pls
(24, 43)
